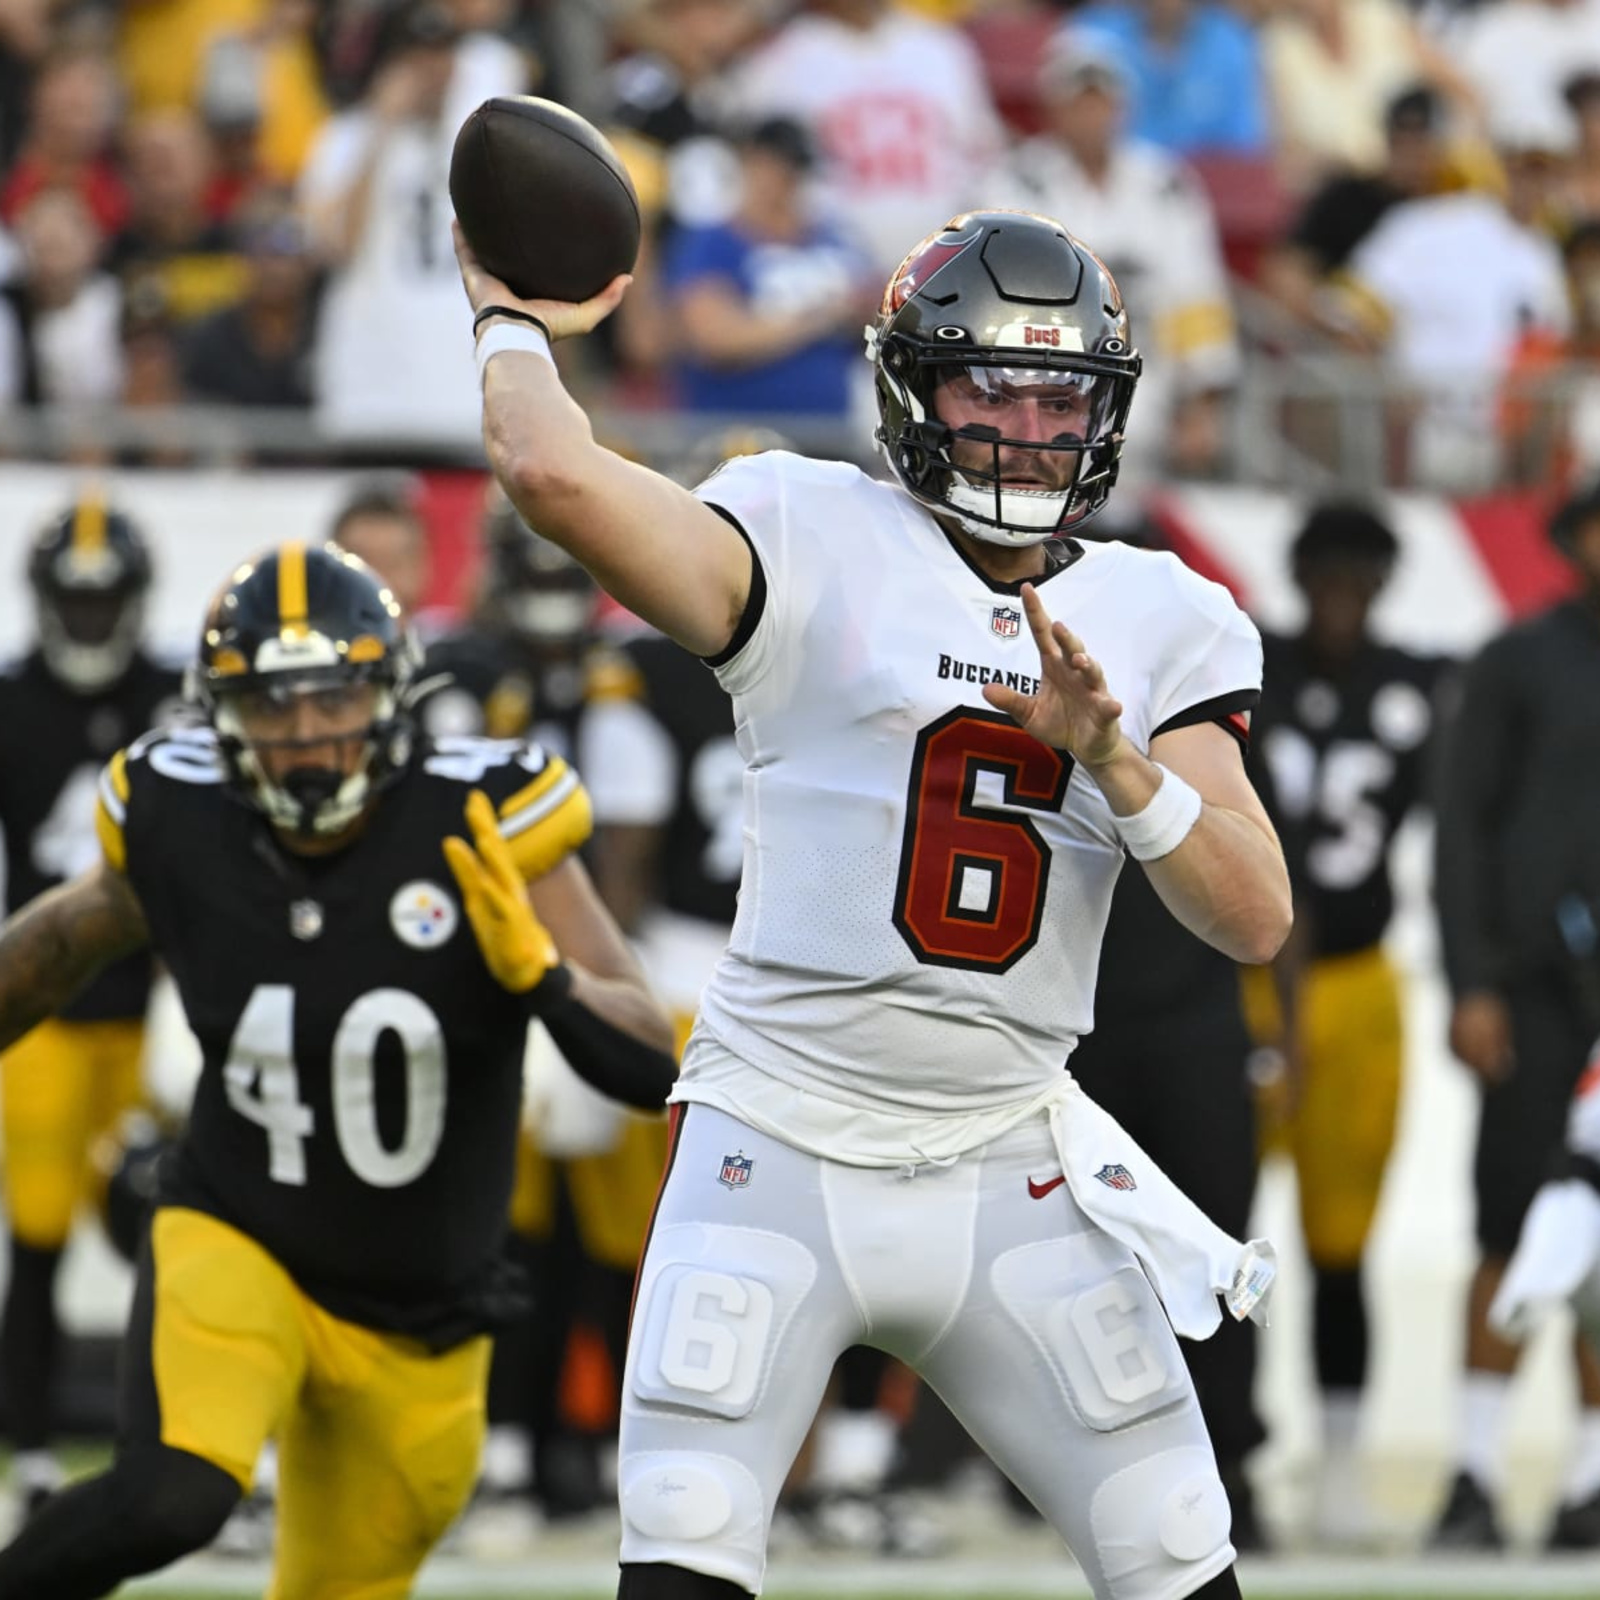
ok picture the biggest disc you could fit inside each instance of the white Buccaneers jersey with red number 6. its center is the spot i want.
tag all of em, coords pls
(926, 886)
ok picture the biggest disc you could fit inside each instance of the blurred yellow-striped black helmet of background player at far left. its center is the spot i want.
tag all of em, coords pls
(90, 572)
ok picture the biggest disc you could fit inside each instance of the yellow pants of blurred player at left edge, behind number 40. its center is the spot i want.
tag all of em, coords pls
(62, 1089)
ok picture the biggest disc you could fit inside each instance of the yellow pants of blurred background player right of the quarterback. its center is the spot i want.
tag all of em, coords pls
(1343, 1127)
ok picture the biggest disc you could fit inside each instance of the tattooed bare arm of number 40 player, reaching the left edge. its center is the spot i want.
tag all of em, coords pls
(52, 948)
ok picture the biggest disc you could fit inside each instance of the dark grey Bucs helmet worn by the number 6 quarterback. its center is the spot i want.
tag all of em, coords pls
(1012, 302)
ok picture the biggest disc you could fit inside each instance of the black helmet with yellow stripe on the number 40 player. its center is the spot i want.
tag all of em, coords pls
(306, 620)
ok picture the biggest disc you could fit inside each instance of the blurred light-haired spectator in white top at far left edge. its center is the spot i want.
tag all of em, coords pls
(65, 310)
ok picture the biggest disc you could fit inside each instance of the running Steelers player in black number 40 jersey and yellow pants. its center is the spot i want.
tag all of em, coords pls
(326, 1254)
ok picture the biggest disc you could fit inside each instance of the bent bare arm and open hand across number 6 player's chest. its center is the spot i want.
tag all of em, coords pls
(1228, 881)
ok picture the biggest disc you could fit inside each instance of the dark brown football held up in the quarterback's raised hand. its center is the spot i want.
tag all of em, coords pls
(543, 199)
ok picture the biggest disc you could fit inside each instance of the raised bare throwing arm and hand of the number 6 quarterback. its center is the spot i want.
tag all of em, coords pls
(647, 540)
